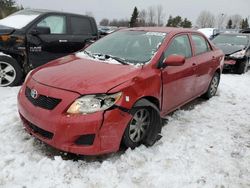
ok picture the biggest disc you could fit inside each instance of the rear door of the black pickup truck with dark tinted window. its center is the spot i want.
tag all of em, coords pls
(82, 30)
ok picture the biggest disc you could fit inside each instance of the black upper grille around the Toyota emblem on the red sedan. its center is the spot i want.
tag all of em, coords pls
(42, 101)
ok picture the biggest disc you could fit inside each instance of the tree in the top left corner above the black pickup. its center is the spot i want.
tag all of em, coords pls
(8, 7)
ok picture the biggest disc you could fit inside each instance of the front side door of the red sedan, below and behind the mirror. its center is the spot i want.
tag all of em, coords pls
(178, 81)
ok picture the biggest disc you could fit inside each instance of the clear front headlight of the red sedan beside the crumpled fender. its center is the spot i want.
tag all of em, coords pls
(93, 103)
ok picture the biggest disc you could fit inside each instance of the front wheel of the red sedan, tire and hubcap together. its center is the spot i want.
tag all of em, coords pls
(151, 126)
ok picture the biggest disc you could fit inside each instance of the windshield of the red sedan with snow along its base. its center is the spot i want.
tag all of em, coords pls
(131, 46)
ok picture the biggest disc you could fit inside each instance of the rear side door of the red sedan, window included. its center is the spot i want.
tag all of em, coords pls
(204, 62)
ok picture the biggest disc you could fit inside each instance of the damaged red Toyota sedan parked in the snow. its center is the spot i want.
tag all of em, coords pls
(118, 89)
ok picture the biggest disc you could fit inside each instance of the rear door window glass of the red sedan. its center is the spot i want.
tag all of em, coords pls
(201, 45)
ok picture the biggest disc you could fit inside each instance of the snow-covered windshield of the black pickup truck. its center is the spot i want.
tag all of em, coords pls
(19, 19)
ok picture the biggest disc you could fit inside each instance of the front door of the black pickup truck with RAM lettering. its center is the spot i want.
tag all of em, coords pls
(43, 48)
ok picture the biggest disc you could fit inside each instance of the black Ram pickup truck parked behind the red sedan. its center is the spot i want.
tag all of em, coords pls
(31, 38)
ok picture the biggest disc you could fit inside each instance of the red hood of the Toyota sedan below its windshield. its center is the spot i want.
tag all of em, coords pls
(84, 76)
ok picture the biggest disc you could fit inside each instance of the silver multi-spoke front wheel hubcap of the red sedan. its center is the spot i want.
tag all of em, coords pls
(139, 125)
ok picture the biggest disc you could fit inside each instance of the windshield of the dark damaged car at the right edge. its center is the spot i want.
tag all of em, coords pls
(240, 40)
